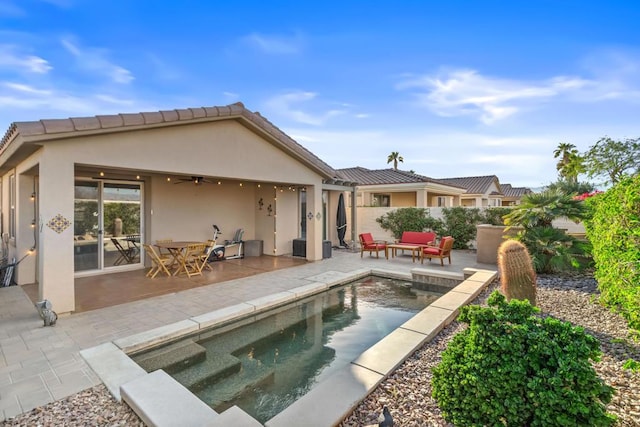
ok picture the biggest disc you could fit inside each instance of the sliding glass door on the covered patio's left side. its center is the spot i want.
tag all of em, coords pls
(107, 225)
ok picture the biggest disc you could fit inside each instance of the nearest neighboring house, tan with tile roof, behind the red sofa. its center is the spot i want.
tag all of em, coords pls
(396, 189)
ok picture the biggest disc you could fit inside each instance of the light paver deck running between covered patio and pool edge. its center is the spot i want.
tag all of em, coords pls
(40, 365)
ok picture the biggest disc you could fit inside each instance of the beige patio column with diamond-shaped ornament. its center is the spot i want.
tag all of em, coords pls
(55, 225)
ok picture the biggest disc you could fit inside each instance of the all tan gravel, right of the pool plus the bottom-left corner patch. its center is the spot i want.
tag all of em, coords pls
(407, 392)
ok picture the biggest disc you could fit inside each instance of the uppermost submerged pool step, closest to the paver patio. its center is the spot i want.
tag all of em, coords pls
(173, 358)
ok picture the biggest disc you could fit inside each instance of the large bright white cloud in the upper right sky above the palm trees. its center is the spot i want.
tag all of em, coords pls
(467, 92)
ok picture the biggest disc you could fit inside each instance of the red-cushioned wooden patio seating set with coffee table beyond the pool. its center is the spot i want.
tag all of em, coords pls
(421, 244)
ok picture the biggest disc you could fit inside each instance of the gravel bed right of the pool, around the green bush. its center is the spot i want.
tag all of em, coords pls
(407, 392)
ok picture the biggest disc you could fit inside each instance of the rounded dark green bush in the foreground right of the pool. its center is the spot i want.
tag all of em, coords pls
(511, 367)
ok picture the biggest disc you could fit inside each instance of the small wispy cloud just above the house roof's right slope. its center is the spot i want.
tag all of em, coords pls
(287, 105)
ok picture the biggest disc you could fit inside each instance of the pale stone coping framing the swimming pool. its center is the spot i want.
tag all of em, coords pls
(340, 393)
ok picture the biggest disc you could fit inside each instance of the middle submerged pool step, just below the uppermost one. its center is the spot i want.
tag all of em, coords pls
(213, 368)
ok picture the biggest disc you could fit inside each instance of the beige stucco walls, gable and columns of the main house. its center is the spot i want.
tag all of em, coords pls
(223, 149)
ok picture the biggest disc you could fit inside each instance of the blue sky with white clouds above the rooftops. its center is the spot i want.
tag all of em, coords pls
(458, 88)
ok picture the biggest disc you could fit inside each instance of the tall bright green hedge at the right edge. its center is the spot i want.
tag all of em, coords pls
(614, 230)
